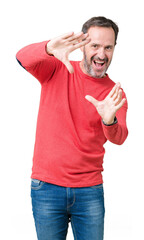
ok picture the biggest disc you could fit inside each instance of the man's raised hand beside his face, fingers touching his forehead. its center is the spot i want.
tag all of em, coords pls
(62, 46)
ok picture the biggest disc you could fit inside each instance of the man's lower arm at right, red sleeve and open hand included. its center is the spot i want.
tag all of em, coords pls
(113, 111)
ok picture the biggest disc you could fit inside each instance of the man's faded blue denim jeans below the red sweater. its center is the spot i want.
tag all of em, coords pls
(55, 206)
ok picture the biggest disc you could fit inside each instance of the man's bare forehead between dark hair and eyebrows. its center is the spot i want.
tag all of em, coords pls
(101, 35)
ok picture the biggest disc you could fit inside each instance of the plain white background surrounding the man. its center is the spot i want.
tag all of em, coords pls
(29, 21)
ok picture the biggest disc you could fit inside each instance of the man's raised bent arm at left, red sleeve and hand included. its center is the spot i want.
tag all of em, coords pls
(41, 59)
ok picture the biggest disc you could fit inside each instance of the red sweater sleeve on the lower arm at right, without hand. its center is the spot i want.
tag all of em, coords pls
(118, 132)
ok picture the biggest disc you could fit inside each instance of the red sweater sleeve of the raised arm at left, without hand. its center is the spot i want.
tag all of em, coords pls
(36, 61)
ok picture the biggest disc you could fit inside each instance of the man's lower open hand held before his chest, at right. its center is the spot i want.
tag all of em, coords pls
(110, 105)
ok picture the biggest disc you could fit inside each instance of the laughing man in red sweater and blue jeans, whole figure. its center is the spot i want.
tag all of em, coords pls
(80, 109)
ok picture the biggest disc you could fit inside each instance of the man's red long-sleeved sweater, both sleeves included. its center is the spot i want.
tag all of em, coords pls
(70, 134)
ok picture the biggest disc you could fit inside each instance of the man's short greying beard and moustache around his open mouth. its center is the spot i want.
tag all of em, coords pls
(89, 69)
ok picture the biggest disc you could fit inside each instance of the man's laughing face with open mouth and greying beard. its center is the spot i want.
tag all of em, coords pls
(97, 54)
